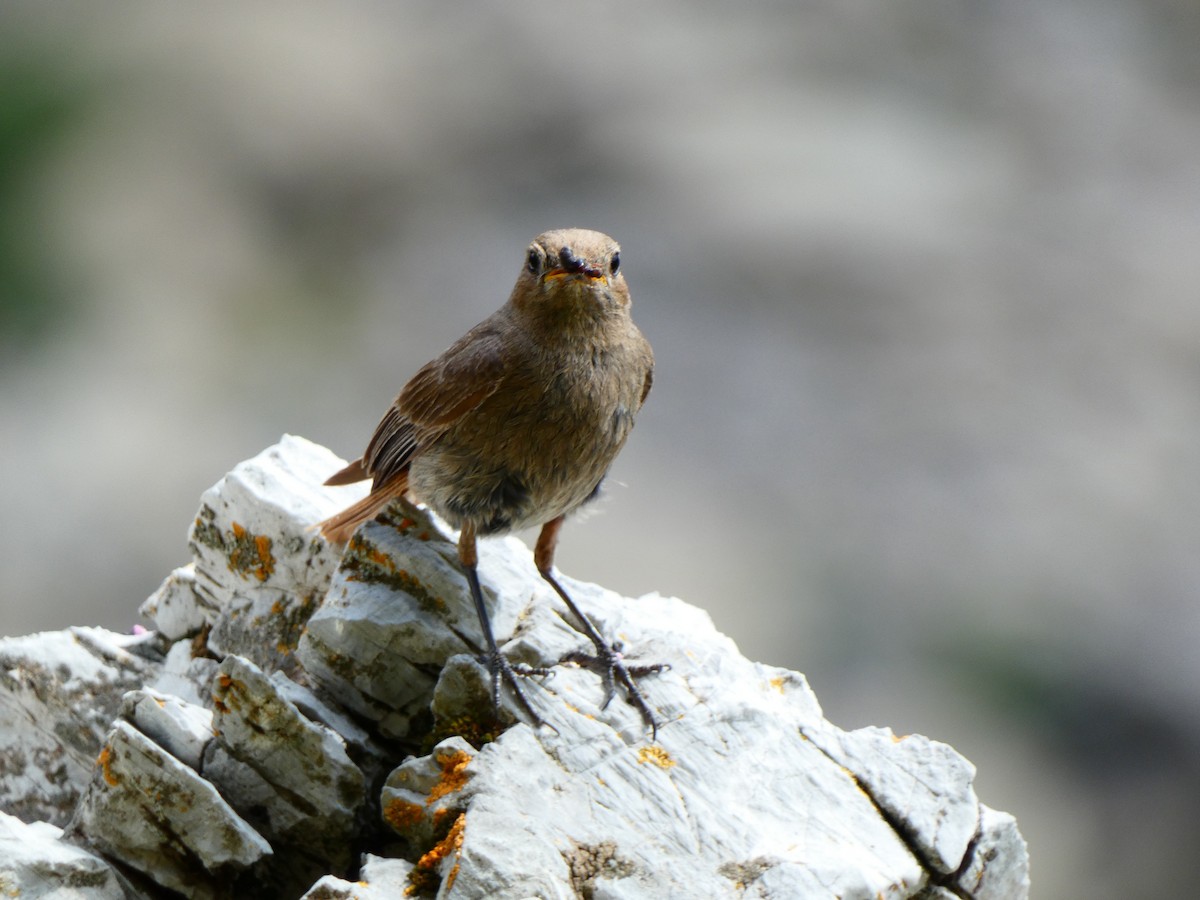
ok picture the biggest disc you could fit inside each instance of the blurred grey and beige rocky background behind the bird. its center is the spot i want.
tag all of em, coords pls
(922, 280)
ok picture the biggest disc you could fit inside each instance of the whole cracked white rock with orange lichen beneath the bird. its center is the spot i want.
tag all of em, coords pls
(307, 725)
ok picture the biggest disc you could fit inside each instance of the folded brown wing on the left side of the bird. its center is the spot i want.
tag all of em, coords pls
(435, 399)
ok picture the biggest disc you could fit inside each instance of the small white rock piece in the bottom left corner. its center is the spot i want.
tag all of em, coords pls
(37, 865)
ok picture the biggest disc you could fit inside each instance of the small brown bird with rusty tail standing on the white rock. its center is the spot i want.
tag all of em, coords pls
(517, 425)
